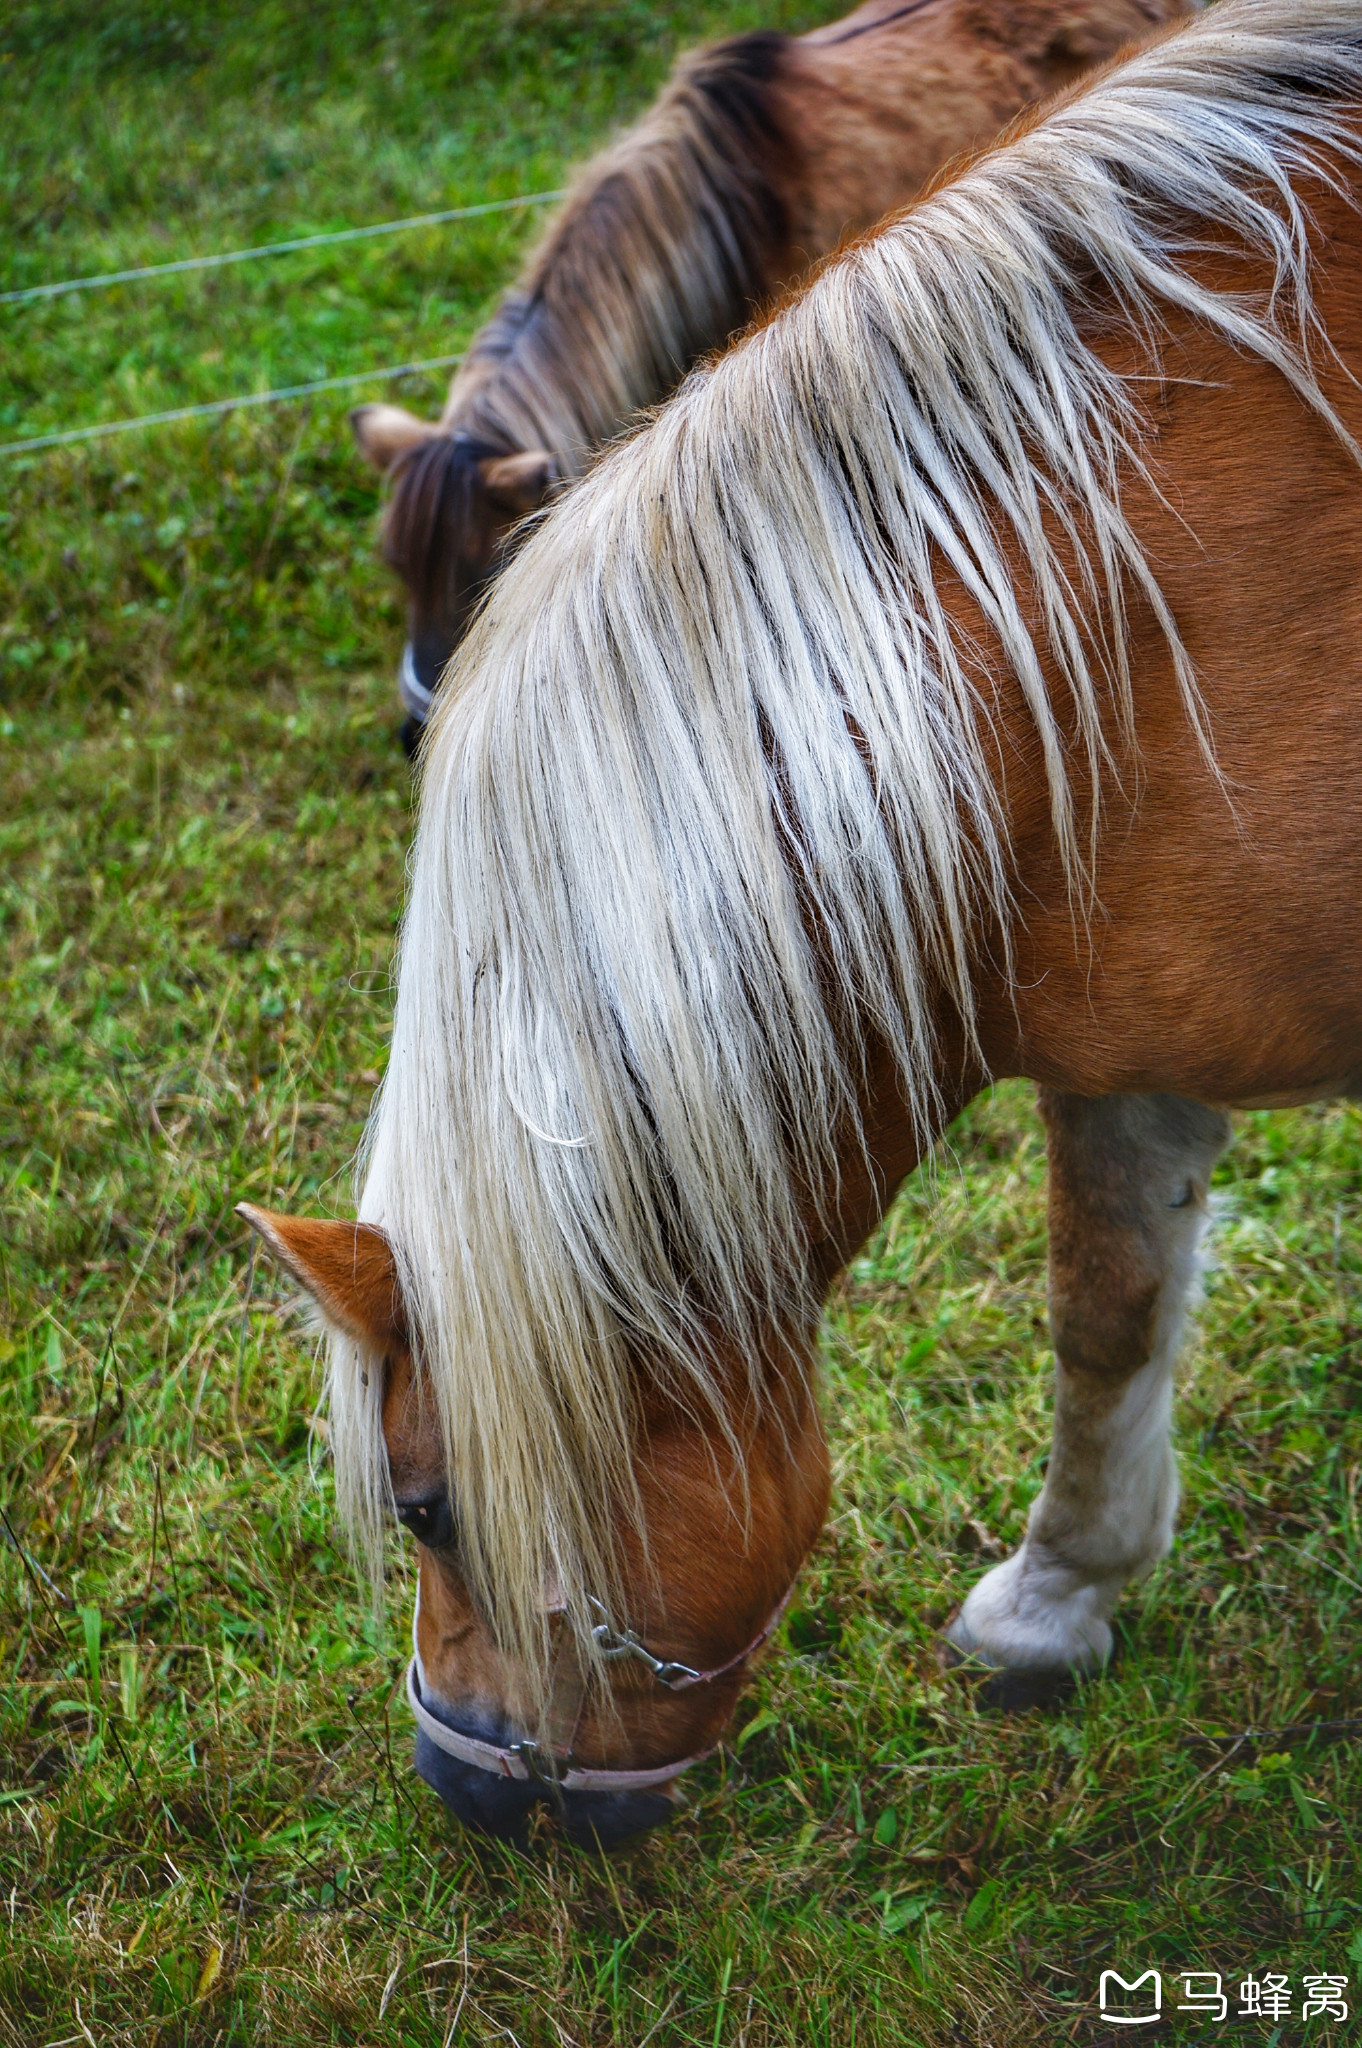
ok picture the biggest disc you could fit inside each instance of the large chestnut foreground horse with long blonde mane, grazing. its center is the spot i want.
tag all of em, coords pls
(960, 679)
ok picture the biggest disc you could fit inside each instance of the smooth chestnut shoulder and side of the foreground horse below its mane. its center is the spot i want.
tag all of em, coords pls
(1173, 974)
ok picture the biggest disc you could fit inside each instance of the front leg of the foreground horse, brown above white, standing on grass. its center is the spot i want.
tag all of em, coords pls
(1127, 1213)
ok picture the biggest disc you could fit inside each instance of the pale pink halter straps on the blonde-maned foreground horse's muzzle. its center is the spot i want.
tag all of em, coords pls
(554, 1768)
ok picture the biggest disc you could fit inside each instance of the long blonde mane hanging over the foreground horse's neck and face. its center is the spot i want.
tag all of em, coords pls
(718, 706)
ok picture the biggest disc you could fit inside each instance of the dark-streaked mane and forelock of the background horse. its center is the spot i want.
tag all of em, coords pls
(736, 167)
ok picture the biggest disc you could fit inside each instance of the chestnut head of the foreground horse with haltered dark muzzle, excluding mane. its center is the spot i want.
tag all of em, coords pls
(634, 1691)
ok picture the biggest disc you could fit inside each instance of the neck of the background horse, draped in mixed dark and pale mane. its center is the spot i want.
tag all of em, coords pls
(663, 251)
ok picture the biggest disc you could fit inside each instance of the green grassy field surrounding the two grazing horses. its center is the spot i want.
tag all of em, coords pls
(210, 1828)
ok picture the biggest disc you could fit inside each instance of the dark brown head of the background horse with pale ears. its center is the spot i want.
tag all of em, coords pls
(454, 505)
